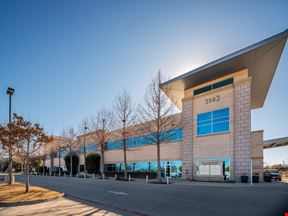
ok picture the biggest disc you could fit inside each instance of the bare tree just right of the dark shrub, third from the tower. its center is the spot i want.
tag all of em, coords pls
(100, 128)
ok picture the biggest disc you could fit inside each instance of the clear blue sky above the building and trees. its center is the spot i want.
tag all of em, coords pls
(66, 59)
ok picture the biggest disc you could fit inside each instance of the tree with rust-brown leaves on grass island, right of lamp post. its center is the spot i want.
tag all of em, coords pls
(31, 137)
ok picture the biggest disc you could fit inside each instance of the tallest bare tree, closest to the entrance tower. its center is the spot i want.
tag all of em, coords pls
(155, 116)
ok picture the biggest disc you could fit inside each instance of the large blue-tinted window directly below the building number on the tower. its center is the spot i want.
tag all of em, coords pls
(213, 122)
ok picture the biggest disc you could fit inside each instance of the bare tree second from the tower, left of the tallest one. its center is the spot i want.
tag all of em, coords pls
(124, 115)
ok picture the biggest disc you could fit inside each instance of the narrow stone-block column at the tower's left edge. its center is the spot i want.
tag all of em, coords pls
(187, 147)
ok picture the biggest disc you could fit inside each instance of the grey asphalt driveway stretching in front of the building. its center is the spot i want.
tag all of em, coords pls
(179, 198)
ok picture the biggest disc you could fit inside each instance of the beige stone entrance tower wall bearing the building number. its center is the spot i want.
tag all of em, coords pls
(234, 145)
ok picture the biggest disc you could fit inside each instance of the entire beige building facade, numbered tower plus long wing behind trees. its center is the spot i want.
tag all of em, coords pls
(227, 154)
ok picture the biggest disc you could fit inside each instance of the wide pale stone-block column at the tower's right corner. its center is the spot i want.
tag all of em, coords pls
(242, 126)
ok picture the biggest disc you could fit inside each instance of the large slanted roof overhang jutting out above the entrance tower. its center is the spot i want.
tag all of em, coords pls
(261, 60)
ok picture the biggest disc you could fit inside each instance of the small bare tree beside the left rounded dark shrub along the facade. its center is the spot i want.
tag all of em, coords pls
(70, 144)
